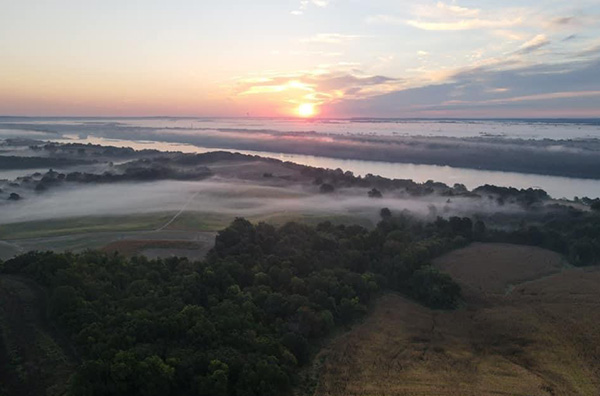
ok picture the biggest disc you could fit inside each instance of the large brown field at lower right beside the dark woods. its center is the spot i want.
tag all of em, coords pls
(530, 326)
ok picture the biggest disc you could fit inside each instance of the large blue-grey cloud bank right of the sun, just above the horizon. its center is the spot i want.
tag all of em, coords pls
(554, 89)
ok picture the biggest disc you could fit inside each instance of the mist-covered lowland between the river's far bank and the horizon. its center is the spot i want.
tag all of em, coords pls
(569, 149)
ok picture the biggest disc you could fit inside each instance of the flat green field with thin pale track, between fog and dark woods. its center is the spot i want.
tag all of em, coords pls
(157, 235)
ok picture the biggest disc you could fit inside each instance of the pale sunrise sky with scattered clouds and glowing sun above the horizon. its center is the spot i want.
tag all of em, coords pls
(324, 58)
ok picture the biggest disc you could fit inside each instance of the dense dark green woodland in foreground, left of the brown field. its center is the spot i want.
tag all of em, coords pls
(241, 322)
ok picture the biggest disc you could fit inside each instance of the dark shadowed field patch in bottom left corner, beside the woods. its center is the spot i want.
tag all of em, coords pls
(34, 359)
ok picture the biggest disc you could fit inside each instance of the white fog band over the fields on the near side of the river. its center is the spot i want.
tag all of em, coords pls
(228, 198)
